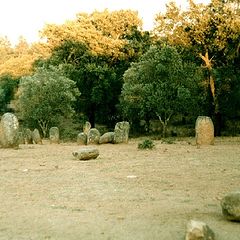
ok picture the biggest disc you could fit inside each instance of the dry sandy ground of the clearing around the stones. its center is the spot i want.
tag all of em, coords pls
(124, 194)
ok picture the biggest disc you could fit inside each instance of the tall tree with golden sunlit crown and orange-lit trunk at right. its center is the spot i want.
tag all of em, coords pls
(212, 32)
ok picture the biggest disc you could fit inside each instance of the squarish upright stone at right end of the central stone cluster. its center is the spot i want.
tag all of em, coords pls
(121, 132)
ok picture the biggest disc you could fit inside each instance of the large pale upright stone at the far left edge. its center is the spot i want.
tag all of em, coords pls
(9, 128)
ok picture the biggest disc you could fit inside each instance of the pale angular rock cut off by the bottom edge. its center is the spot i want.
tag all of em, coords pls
(199, 231)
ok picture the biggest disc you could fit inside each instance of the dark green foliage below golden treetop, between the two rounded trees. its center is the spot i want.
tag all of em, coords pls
(98, 77)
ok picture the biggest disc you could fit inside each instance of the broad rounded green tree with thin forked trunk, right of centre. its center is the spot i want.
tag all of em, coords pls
(159, 86)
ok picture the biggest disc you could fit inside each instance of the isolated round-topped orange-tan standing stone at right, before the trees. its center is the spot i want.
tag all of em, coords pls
(204, 131)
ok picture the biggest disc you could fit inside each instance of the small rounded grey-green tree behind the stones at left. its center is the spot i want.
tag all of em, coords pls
(45, 97)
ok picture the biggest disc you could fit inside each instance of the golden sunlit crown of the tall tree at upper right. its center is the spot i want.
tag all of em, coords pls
(208, 26)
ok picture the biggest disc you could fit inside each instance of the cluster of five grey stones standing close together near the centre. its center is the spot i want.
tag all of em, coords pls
(92, 135)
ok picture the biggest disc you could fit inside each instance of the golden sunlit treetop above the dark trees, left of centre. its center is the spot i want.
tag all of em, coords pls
(103, 32)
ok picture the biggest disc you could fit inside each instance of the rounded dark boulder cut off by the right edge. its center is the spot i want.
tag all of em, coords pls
(231, 206)
